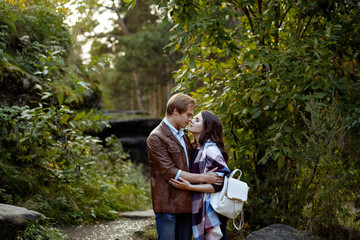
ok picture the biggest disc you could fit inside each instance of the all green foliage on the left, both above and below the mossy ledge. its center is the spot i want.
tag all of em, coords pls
(48, 161)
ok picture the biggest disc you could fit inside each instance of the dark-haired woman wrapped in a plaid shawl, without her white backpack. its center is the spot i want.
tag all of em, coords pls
(209, 153)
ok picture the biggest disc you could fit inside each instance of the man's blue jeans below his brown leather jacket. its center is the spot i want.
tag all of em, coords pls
(173, 226)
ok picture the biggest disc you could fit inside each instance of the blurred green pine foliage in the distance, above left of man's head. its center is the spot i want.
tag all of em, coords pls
(143, 53)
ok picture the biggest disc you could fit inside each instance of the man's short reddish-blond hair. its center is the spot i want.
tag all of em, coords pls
(181, 102)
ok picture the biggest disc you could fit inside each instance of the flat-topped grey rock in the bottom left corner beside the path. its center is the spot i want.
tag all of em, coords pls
(13, 219)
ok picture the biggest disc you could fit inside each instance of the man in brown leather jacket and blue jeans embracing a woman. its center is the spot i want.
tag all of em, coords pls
(169, 152)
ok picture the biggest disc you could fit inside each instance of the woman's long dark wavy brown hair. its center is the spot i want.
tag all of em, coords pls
(213, 130)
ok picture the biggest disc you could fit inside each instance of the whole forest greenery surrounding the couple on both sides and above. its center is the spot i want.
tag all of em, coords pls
(282, 75)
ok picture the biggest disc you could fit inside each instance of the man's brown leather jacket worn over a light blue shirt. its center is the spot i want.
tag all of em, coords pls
(166, 156)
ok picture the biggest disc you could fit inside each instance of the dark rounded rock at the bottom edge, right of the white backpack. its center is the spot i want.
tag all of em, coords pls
(278, 232)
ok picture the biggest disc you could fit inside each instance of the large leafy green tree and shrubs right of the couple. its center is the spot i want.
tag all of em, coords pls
(258, 64)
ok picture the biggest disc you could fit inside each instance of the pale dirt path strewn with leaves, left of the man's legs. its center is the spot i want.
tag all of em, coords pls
(116, 230)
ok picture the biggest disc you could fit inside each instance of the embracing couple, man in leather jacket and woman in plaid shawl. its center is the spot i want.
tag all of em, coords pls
(183, 174)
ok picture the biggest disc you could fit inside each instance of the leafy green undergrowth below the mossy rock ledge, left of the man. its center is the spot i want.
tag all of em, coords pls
(50, 165)
